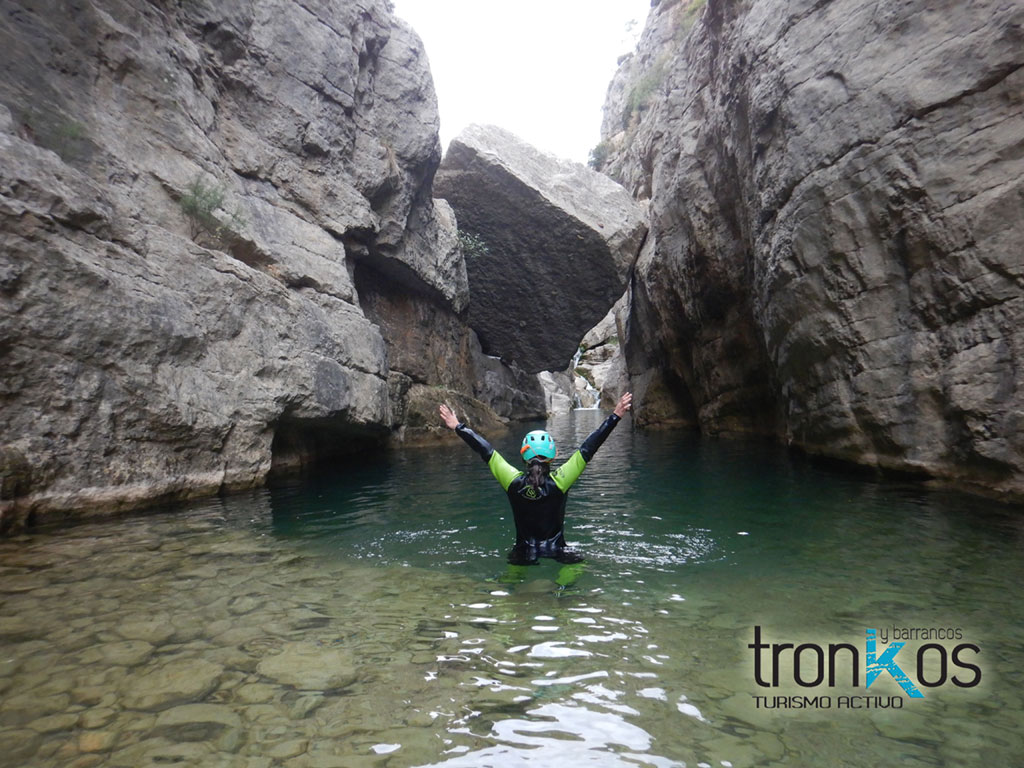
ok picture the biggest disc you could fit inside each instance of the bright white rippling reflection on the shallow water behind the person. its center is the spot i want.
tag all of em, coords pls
(551, 702)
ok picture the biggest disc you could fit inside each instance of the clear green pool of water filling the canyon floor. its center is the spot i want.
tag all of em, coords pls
(369, 620)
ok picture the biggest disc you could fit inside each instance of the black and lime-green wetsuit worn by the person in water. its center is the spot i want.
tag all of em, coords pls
(540, 514)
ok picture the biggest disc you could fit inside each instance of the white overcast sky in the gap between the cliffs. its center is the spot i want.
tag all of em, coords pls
(538, 68)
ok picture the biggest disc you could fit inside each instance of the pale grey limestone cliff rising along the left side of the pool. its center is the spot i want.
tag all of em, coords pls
(200, 204)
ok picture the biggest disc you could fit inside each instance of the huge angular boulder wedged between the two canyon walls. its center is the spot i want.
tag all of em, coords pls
(548, 244)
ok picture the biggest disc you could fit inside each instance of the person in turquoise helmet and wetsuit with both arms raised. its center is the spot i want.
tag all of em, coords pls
(538, 495)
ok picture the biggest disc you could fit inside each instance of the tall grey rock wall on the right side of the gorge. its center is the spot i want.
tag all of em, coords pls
(836, 225)
